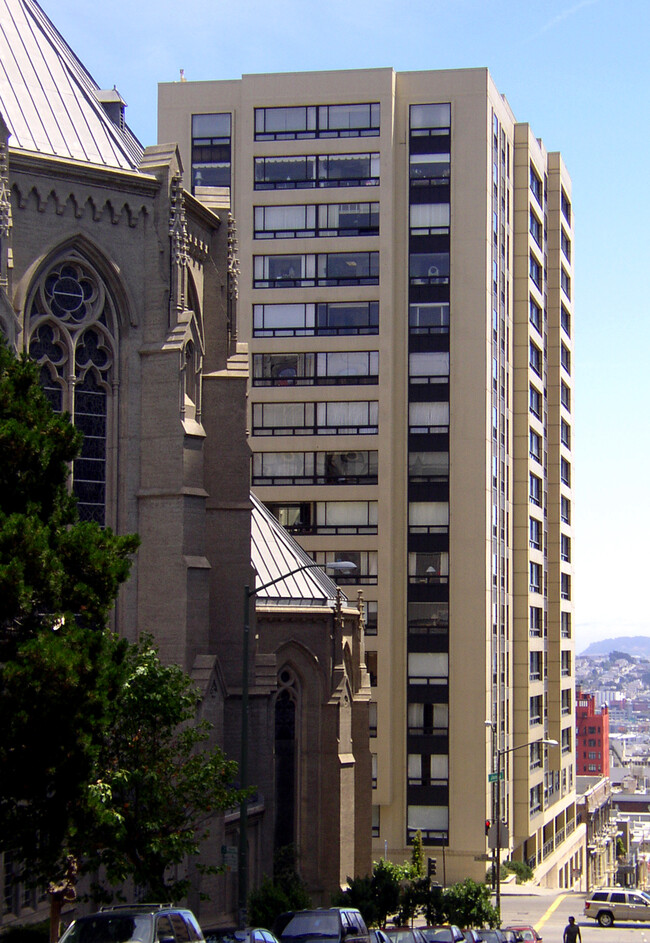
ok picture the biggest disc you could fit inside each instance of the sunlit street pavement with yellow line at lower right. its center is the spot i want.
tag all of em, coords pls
(549, 912)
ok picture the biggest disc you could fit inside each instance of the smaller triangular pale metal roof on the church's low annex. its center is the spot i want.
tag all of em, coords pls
(274, 552)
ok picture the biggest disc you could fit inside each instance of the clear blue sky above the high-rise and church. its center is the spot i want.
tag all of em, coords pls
(579, 74)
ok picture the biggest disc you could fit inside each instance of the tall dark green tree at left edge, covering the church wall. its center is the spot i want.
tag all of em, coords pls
(58, 666)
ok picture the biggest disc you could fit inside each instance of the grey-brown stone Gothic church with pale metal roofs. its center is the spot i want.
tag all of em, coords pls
(122, 287)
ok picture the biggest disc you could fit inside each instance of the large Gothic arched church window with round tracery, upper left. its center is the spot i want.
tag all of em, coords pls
(72, 335)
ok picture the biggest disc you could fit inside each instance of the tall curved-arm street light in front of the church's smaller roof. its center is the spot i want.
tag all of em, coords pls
(344, 566)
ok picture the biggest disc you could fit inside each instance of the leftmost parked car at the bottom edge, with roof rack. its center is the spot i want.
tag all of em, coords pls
(135, 923)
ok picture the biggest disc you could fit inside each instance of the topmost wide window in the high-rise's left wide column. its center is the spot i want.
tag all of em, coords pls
(317, 121)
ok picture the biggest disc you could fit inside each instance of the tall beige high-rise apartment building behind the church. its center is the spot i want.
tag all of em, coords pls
(406, 255)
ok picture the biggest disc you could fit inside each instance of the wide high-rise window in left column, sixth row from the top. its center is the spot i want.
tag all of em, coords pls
(308, 369)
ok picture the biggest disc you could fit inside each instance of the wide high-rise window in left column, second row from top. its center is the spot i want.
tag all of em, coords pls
(289, 172)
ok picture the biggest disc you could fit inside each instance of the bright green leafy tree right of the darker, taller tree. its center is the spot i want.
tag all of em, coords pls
(158, 783)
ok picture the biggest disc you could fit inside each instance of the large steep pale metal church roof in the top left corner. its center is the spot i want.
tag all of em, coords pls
(48, 98)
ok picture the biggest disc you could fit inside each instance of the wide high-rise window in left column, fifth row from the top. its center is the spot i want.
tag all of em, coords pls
(325, 319)
